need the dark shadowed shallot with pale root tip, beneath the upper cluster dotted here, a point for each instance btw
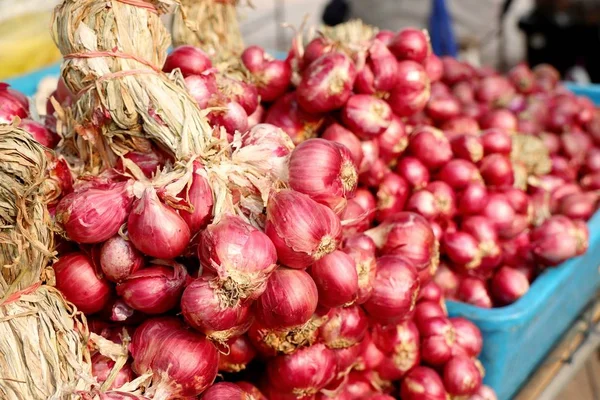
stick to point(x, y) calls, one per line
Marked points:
point(297, 123)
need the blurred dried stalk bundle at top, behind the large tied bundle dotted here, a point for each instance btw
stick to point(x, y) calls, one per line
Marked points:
point(209, 24)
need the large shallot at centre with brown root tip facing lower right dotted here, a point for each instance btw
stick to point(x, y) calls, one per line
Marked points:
point(316, 230)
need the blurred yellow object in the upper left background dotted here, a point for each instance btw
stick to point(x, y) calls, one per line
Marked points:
point(26, 44)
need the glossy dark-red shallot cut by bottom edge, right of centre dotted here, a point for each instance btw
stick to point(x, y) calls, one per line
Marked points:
point(422, 383)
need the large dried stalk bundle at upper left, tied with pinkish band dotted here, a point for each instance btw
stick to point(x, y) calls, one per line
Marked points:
point(113, 54)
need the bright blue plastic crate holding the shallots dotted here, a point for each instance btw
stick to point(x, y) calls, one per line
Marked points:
point(517, 337)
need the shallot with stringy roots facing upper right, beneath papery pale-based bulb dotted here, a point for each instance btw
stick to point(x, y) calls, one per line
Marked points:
point(209, 310)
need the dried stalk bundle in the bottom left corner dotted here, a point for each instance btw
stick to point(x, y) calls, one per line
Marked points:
point(43, 351)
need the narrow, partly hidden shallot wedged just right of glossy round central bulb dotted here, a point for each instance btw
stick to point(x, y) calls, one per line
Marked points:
point(362, 250)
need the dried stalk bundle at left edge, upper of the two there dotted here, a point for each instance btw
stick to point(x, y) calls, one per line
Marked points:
point(25, 235)
